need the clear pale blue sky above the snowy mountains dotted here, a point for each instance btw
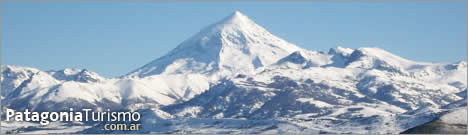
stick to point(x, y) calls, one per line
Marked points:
point(114, 38)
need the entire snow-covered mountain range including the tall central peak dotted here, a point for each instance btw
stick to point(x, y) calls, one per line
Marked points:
point(236, 77)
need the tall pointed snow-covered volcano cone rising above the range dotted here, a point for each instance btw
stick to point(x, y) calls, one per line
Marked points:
point(221, 47)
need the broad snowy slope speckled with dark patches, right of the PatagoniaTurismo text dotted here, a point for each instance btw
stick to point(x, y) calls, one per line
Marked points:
point(316, 95)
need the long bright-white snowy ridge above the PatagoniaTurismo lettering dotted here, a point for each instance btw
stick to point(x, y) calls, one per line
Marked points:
point(54, 91)
